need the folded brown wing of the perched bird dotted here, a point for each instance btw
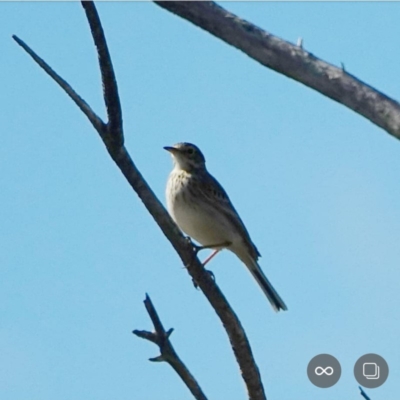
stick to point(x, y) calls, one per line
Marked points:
point(215, 195)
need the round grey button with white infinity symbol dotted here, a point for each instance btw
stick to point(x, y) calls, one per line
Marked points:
point(324, 370)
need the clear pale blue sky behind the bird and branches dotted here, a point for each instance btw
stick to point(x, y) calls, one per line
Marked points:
point(316, 184)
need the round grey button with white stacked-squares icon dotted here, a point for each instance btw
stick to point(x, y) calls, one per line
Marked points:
point(371, 371)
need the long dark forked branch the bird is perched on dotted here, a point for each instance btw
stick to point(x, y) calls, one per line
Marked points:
point(112, 136)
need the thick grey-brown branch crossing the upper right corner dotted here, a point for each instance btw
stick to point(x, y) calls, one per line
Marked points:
point(292, 61)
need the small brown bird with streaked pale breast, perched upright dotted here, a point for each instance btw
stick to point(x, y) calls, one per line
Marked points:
point(201, 208)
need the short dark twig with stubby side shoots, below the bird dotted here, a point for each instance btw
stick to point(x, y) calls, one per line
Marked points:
point(167, 353)
